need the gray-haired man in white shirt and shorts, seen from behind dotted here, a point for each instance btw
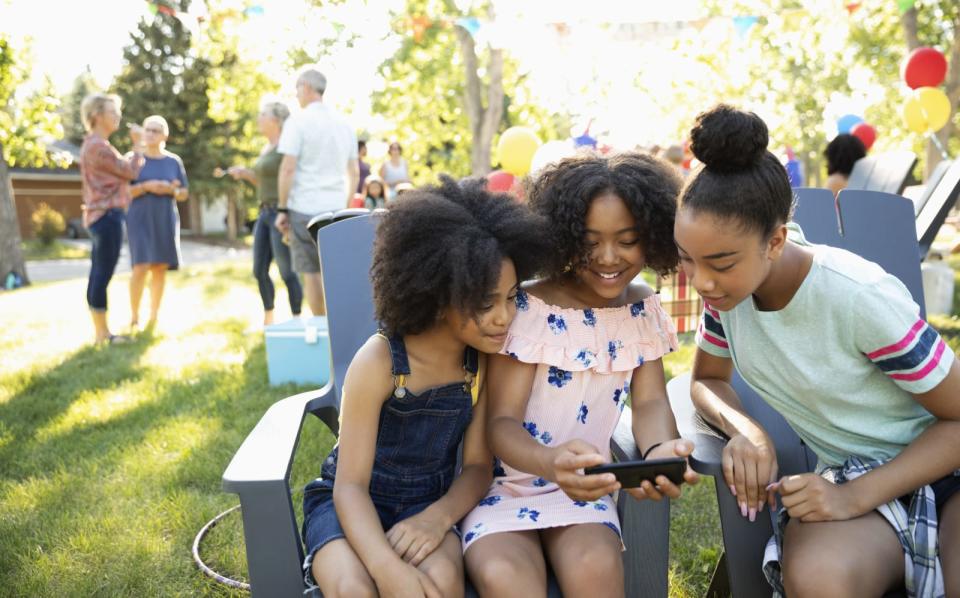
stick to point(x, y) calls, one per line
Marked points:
point(318, 174)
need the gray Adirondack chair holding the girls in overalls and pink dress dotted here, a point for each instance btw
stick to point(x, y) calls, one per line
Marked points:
point(259, 471)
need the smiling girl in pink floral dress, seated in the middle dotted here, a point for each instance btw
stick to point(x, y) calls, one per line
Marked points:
point(586, 340)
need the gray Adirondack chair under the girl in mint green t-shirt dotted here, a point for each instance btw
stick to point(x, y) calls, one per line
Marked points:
point(876, 226)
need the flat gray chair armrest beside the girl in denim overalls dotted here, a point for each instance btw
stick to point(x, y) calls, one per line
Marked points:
point(267, 452)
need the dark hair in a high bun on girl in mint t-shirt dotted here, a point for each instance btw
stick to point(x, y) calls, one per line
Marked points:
point(740, 180)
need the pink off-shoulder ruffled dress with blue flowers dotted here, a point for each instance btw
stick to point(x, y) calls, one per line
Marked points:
point(585, 359)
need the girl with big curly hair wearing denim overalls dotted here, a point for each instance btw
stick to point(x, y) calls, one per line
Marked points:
point(380, 519)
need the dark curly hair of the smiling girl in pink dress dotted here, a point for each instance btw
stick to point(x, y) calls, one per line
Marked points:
point(562, 194)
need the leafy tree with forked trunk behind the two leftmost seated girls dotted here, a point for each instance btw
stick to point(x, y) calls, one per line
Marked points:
point(446, 96)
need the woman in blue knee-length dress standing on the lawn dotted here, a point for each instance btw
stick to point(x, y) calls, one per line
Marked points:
point(153, 224)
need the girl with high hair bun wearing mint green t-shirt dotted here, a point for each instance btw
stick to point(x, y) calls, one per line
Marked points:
point(836, 346)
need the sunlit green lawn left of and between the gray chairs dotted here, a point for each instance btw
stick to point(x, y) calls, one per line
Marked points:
point(110, 457)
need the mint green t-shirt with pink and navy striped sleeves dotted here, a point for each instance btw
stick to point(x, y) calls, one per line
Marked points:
point(841, 361)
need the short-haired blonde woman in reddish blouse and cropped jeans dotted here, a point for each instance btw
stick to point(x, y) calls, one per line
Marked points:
point(106, 192)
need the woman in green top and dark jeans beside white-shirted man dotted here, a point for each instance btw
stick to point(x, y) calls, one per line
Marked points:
point(268, 243)
